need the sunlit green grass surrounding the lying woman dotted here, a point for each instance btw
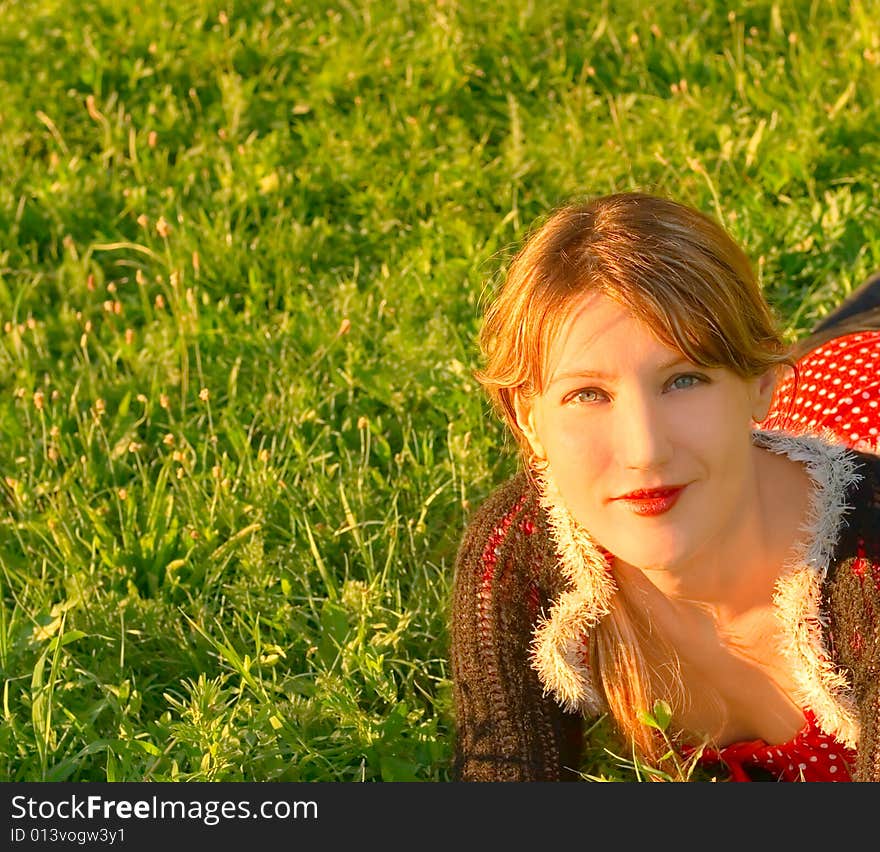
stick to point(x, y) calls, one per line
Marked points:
point(244, 247)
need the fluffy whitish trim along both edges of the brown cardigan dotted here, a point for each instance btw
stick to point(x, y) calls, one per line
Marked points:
point(559, 649)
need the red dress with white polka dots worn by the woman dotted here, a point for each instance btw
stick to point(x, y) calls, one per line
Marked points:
point(835, 393)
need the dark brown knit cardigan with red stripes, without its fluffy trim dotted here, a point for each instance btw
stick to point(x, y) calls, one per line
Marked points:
point(508, 575)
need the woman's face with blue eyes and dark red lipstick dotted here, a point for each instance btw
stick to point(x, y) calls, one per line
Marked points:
point(652, 454)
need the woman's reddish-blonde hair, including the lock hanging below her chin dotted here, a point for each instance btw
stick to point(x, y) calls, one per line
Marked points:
point(681, 273)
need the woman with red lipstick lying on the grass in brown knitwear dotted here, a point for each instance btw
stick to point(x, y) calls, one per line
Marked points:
point(698, 517)
